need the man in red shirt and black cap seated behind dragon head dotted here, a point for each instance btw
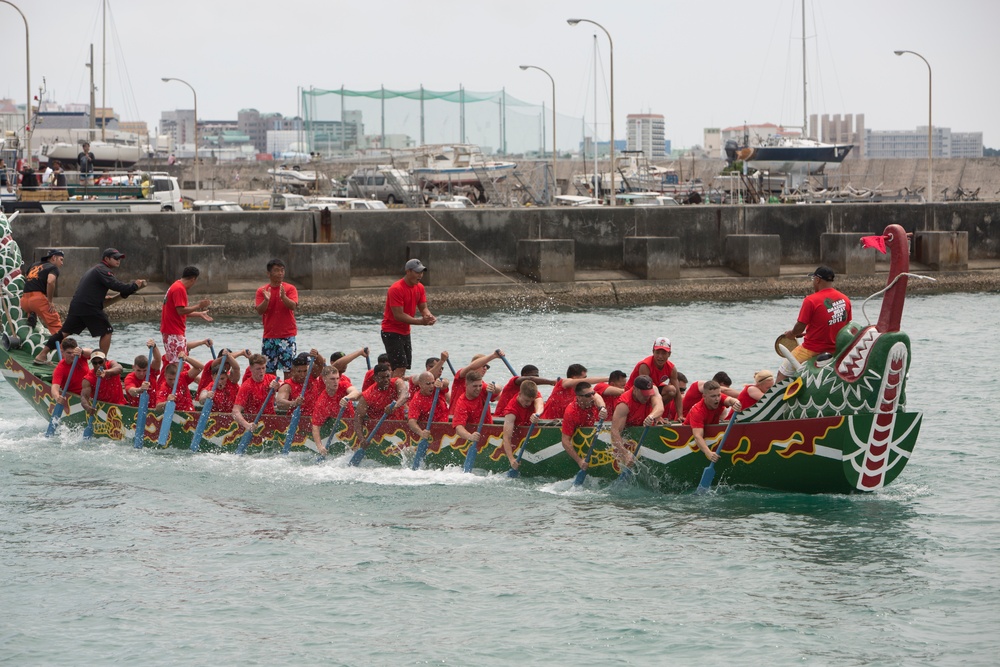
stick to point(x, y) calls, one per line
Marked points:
point(822, 315)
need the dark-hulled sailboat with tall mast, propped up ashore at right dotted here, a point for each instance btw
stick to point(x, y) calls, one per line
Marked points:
point(784, 154)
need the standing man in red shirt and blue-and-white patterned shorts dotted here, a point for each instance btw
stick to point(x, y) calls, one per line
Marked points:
point(276, 303)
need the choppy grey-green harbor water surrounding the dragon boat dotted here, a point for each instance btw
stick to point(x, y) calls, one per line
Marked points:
point(109, 555)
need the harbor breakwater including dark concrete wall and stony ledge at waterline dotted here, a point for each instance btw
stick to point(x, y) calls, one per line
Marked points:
point(373, 245)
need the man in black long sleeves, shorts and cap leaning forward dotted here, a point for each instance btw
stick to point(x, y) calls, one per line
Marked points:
point(86, 310)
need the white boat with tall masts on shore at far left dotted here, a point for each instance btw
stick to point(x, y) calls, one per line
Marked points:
point(112, 149)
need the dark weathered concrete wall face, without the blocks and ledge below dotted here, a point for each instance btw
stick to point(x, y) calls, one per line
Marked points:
point(378, 239)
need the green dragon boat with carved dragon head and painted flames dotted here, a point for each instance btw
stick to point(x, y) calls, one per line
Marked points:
point(840, 426)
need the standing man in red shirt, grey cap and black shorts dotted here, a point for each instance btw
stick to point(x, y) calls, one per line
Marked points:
point(405, 297)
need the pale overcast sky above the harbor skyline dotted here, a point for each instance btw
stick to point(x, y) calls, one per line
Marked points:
point(699, 63)
